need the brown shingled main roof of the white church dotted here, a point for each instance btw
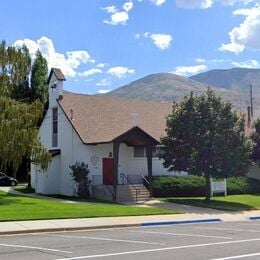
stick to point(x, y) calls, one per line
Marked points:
point(100, 119)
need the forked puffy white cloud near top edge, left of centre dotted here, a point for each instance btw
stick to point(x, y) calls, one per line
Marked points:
point(118, 17)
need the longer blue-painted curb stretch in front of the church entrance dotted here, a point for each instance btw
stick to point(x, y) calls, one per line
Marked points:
point(177, 222)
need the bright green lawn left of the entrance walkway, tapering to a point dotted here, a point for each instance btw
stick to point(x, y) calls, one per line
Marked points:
point(13, 207)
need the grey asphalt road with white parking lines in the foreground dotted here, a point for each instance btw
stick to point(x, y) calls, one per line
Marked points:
point(226, 240)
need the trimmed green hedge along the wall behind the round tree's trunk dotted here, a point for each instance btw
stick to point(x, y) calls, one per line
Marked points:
point(171, 186)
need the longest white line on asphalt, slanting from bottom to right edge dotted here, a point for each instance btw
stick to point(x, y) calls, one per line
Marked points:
point(161, 249)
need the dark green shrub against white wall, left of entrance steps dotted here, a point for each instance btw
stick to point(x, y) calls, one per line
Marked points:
point(80, 174)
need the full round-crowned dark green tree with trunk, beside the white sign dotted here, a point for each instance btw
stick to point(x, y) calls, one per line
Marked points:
point(205, 137)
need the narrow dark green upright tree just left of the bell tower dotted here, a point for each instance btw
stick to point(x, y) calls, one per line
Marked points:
point(39, 77)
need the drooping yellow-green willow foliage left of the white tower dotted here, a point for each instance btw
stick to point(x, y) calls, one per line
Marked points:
point(18, 133)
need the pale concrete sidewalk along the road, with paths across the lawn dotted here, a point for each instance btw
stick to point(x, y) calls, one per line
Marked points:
point(193, 214)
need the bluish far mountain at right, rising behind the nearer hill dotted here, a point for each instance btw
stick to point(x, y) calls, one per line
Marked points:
point(237, 79)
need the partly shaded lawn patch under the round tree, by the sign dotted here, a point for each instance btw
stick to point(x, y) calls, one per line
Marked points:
point(230, 203)
